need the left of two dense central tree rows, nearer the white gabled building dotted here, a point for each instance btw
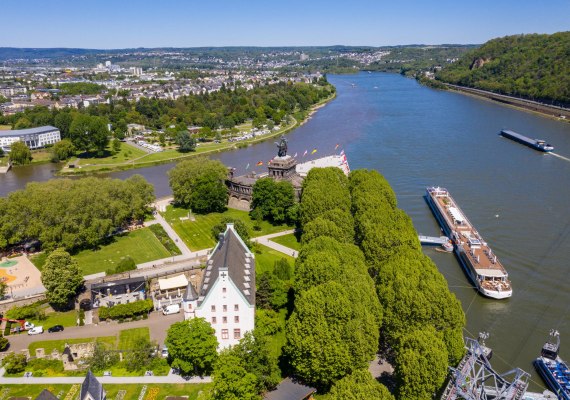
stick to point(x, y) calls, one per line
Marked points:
point(334, 328)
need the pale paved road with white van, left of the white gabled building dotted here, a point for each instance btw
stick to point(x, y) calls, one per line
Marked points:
point(157, 324)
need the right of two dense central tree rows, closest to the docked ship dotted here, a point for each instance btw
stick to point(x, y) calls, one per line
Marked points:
point(423, 321)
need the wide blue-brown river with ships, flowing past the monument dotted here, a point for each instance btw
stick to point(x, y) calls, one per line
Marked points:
point(517, 198)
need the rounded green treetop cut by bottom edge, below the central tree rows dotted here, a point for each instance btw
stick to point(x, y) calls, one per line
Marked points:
point(359, 385)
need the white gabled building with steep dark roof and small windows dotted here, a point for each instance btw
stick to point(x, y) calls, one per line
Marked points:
point(226, 298)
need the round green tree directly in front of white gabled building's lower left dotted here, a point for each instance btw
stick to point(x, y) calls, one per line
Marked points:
point(192, 346)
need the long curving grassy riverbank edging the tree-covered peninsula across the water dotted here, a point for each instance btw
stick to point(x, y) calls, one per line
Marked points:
point(165, 158)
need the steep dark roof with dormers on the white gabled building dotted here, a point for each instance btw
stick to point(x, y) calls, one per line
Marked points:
point(232, 255)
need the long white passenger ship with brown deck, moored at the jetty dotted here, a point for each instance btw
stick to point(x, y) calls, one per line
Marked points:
point(476, 257)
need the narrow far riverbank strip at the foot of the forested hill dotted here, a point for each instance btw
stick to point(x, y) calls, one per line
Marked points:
point(554, 112)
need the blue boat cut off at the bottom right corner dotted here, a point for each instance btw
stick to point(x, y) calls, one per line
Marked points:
point(552, 368)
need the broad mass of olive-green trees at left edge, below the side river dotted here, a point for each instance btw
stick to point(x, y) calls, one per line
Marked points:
point(72, 214)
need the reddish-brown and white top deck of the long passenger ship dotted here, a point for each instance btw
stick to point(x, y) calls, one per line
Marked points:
point(478, 253)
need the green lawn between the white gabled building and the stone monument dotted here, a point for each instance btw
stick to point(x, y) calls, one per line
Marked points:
point(198, 234)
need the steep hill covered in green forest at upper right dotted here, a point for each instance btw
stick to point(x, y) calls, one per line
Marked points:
point(535, 67)
